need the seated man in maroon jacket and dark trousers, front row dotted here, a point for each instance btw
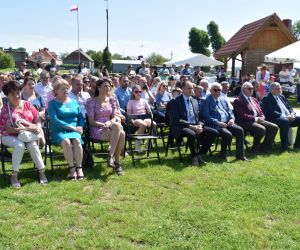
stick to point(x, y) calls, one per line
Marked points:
point(249, 116)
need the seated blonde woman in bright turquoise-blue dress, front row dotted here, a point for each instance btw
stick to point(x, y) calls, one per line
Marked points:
point(66, 126)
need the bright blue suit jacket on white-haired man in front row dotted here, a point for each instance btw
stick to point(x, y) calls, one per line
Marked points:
point(210, 112)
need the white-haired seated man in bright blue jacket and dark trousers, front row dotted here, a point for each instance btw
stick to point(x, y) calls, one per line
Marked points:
point(218, 115)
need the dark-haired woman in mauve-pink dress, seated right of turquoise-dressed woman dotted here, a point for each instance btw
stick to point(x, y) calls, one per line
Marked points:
point(104, 125)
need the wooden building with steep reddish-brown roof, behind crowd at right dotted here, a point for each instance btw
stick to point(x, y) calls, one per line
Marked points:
point(255, 40)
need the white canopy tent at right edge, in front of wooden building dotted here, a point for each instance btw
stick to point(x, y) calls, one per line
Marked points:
point(288, 54)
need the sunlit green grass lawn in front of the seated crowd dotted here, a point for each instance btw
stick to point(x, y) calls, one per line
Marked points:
point(234, 205)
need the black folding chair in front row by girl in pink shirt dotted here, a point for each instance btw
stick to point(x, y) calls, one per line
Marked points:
point(130, 130)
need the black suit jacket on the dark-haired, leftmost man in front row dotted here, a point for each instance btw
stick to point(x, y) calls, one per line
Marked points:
point(179, 116)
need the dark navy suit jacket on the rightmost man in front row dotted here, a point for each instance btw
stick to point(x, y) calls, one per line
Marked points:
point(271, 108)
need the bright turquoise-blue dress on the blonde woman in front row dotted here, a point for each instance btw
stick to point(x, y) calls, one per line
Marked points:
point(62, 116)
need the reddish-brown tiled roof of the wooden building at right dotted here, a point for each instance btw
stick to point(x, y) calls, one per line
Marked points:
point(236, 44)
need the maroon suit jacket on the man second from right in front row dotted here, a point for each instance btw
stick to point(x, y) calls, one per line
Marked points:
point(244, 114)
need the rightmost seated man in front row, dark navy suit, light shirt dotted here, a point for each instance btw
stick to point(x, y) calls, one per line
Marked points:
point(277, 110)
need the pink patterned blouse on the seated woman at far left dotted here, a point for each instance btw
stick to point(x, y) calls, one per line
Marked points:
point(29, 113)
